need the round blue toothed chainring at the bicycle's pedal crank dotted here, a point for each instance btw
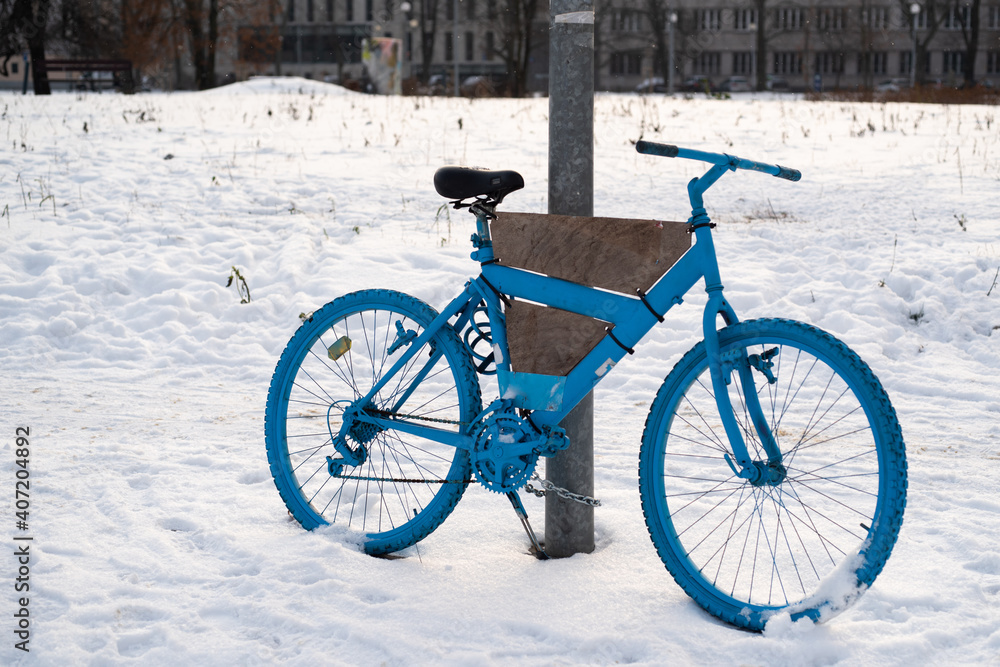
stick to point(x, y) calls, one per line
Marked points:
point(504, 458)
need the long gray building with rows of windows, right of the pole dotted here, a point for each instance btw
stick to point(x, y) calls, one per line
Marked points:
point(806, 45)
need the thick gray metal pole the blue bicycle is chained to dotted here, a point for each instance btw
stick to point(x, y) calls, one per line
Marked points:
point(569, 526)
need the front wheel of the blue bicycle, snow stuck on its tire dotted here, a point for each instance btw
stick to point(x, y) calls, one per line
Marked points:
point(808, 542)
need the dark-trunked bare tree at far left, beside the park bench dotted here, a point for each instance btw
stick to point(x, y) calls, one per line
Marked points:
point(23, 27)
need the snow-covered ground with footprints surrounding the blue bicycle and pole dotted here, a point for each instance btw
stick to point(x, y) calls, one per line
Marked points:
point(158, 536)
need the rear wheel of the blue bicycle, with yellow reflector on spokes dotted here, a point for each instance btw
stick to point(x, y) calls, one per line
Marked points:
point(408, 485)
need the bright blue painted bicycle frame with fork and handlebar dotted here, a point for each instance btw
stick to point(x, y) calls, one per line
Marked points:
point(550, 398)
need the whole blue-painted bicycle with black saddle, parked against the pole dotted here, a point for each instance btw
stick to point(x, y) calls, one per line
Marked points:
point(772, 468)
